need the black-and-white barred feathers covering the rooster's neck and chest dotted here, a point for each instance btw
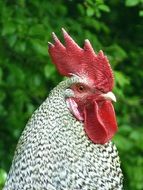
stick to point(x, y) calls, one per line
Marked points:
point(54, 153)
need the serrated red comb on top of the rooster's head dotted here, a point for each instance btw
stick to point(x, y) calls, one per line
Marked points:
point(71, 59)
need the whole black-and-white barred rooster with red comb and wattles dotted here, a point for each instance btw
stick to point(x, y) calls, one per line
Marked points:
point(66, 145)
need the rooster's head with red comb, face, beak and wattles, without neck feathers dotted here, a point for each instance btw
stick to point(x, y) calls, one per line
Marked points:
point(92, 100)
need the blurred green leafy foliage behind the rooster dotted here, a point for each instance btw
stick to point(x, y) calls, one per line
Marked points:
point(27, 75)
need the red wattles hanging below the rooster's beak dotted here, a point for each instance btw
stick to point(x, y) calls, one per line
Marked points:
point(100, 121)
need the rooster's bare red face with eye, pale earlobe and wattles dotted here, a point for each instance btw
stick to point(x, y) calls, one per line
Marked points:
point(97, 113)
